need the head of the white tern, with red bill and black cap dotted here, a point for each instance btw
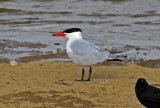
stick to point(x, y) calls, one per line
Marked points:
point(70, 33)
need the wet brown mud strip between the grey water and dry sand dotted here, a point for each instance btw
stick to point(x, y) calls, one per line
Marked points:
point(62, 56)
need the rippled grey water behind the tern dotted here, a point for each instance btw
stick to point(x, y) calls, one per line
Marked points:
point(107, 23)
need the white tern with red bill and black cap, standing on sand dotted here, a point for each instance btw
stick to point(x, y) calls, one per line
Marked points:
point(80, 51)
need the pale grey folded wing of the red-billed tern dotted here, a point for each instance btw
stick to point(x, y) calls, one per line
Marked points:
point(88, 51)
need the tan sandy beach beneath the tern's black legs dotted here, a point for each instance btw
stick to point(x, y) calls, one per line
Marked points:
point(50, 84)
